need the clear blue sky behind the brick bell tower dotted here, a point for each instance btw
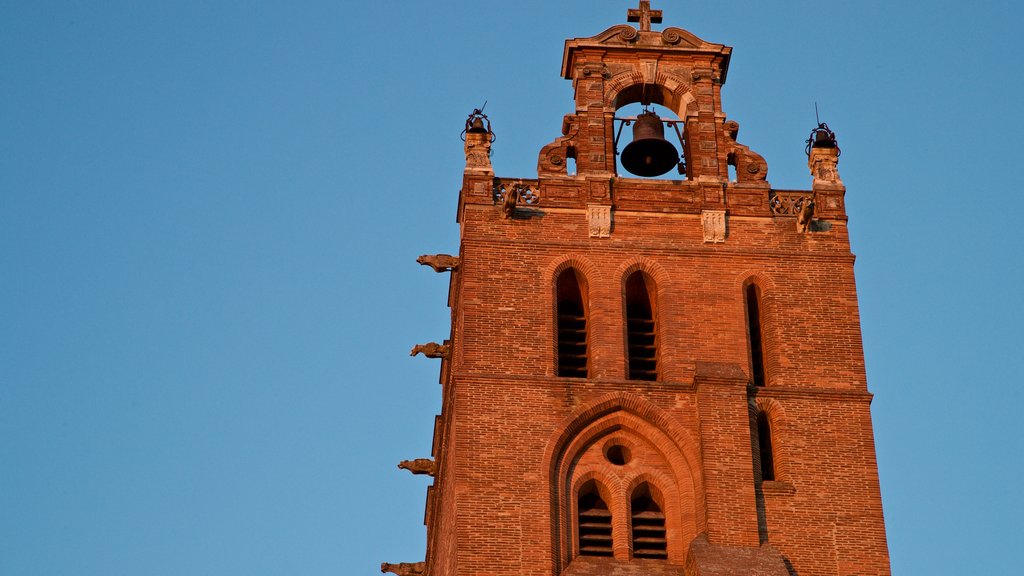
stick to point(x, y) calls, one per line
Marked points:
point(210, 215)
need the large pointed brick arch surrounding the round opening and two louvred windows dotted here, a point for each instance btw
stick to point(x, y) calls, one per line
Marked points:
point(608, 415)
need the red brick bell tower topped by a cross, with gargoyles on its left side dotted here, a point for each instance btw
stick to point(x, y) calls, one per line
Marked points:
point(651, 377)
